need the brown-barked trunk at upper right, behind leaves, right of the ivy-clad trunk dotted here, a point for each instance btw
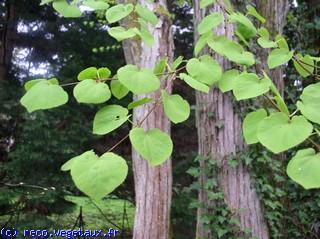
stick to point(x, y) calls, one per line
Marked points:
point(275, 12)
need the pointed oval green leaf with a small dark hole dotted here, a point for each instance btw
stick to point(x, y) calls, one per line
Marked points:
point(109, 118)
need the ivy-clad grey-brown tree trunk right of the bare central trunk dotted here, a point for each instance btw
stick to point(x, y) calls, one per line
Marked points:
point(221, 143)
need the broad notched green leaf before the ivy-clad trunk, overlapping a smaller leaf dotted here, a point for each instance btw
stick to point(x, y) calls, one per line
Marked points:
point(248, 85)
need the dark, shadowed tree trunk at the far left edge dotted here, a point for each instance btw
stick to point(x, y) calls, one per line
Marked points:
point(7, 35)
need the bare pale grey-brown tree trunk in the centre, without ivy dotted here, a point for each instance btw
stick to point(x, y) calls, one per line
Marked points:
point(153, 185)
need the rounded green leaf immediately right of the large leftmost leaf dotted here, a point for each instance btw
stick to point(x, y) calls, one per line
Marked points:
point(91, 92)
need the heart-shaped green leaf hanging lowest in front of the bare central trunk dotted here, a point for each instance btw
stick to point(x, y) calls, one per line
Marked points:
point(154, 145)
